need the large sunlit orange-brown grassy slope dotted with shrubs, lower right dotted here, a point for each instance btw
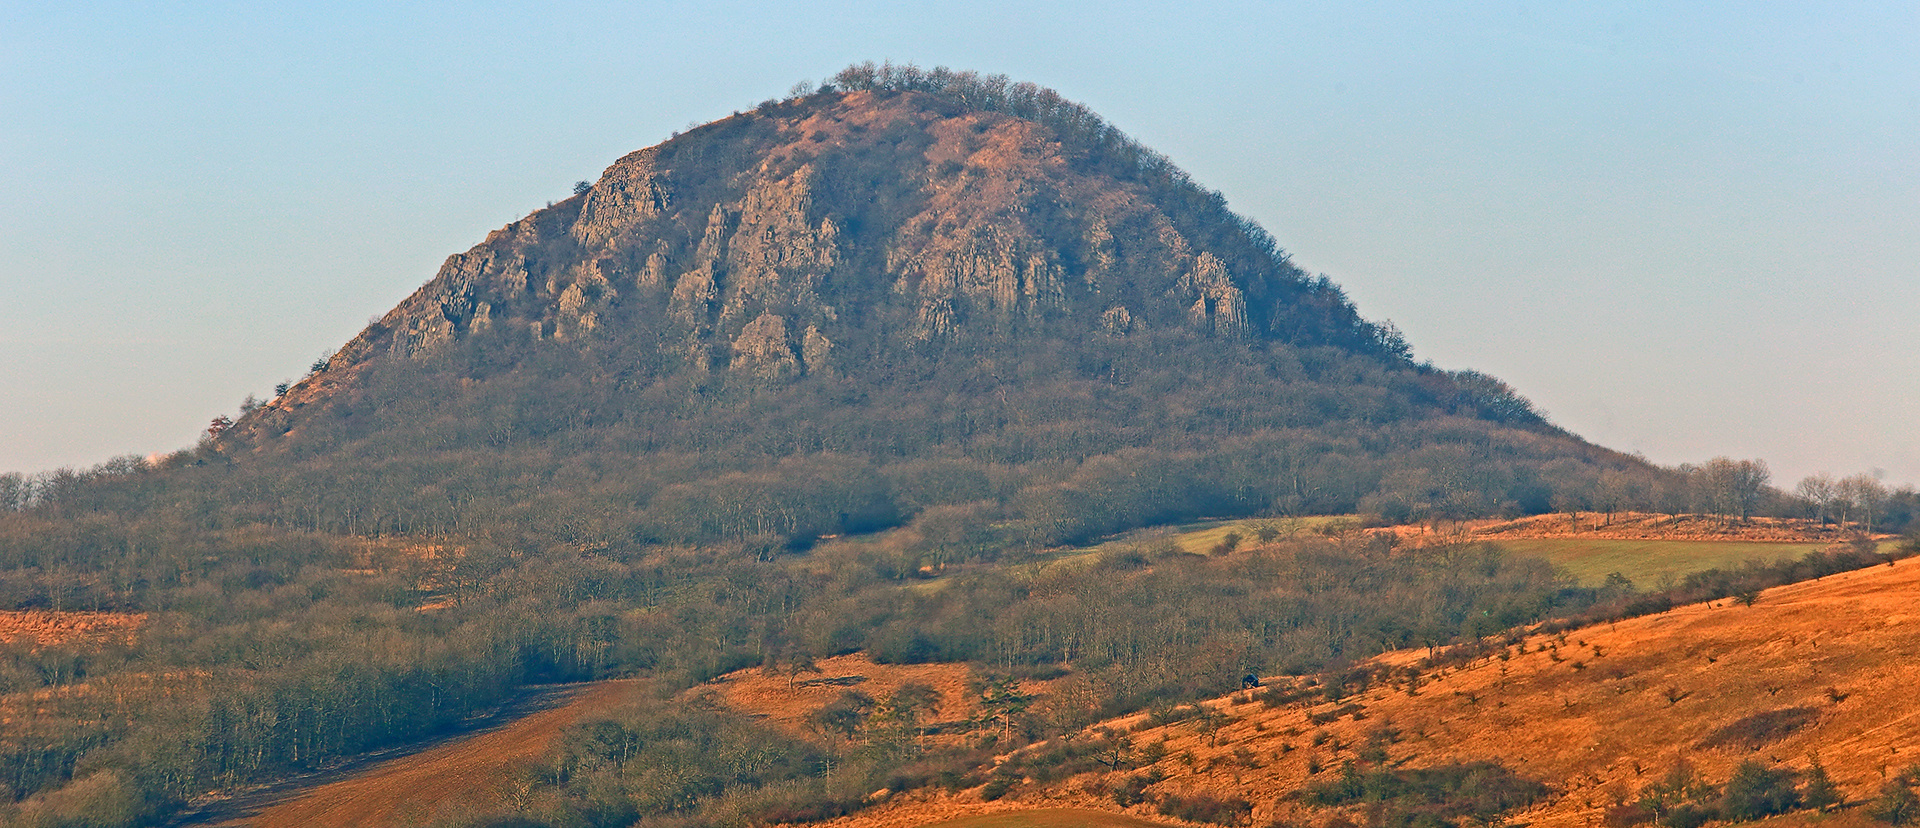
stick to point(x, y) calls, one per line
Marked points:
point(1596, 714)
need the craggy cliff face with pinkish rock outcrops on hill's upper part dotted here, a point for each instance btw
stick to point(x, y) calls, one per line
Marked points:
point(767, 239)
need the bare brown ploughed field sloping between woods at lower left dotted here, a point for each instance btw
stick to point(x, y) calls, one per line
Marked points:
point(466, 773)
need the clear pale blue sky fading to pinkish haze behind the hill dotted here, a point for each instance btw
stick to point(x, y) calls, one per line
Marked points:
point(1681, 230)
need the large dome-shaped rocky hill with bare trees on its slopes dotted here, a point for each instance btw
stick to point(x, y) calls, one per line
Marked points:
point(900, 297)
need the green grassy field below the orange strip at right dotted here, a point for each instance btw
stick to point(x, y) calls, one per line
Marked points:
point(1648, 562)
